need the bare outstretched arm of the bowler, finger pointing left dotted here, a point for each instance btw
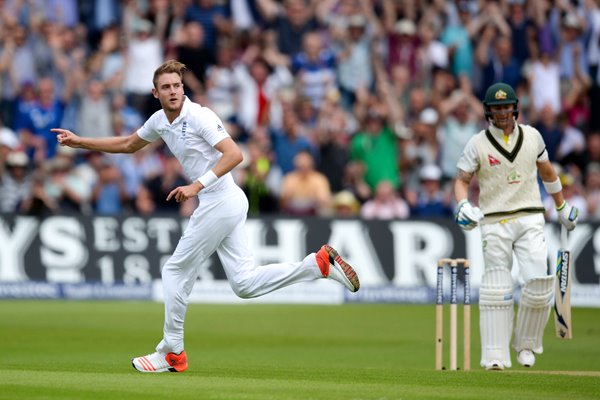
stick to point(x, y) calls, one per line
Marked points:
point(115, 144)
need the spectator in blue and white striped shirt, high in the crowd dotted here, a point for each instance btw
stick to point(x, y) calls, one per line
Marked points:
point(314, 69)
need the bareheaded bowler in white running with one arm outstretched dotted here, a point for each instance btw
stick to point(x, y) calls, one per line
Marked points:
point(197, 137)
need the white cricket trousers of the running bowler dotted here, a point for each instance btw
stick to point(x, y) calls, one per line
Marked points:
point(218, 225)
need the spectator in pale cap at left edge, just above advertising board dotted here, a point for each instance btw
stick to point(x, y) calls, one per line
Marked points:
point(15, 182)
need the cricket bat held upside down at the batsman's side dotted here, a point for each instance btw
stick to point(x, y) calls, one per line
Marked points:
point(562, 290)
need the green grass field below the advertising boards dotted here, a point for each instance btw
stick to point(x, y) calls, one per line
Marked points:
point(82, 350)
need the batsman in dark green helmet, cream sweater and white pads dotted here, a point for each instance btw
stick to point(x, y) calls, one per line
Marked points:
point(506, 159)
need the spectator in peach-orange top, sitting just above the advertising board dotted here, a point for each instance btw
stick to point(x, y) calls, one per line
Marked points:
point(305, 191)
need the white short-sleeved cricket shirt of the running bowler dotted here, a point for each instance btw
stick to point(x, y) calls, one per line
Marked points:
point(191, 138)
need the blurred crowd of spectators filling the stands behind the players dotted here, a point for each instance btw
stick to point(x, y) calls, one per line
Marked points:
point(349, 108)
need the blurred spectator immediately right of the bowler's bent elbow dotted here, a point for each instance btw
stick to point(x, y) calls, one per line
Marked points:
point(260, 179)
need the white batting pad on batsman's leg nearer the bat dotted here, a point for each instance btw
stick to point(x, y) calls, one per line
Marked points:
point(534, 310)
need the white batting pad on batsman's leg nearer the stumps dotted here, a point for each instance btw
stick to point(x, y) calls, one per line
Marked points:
point(496, 316)
